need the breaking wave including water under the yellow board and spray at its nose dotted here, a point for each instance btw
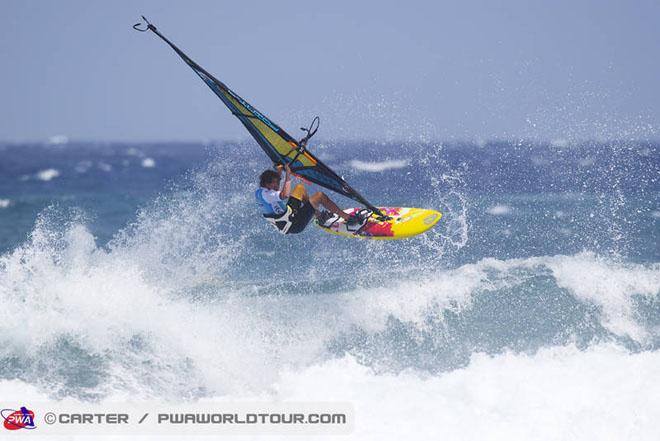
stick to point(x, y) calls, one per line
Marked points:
point(197, 298)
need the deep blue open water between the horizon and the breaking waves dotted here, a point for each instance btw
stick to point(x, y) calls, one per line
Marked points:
point(524, 199)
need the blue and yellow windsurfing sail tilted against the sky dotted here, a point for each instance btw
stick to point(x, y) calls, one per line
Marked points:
point(278, 145)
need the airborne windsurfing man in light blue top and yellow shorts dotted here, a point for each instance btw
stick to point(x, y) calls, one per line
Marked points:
point(290, 211)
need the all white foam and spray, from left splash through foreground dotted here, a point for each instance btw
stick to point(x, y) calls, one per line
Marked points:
point(128, 308)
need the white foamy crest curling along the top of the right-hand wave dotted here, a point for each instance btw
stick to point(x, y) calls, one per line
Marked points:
point(609, 285)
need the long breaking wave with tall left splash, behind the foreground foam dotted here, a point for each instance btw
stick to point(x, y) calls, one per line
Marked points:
point(155, 315)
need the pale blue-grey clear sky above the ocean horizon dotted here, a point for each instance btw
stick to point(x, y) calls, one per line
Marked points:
point(384, 70)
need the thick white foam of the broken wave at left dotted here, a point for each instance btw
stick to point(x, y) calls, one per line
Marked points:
point(114, 302)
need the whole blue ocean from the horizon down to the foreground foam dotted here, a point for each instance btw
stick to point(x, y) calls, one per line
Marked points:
point(146, 269)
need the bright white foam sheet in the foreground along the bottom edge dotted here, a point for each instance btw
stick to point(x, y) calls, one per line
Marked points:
point(559, 393)
